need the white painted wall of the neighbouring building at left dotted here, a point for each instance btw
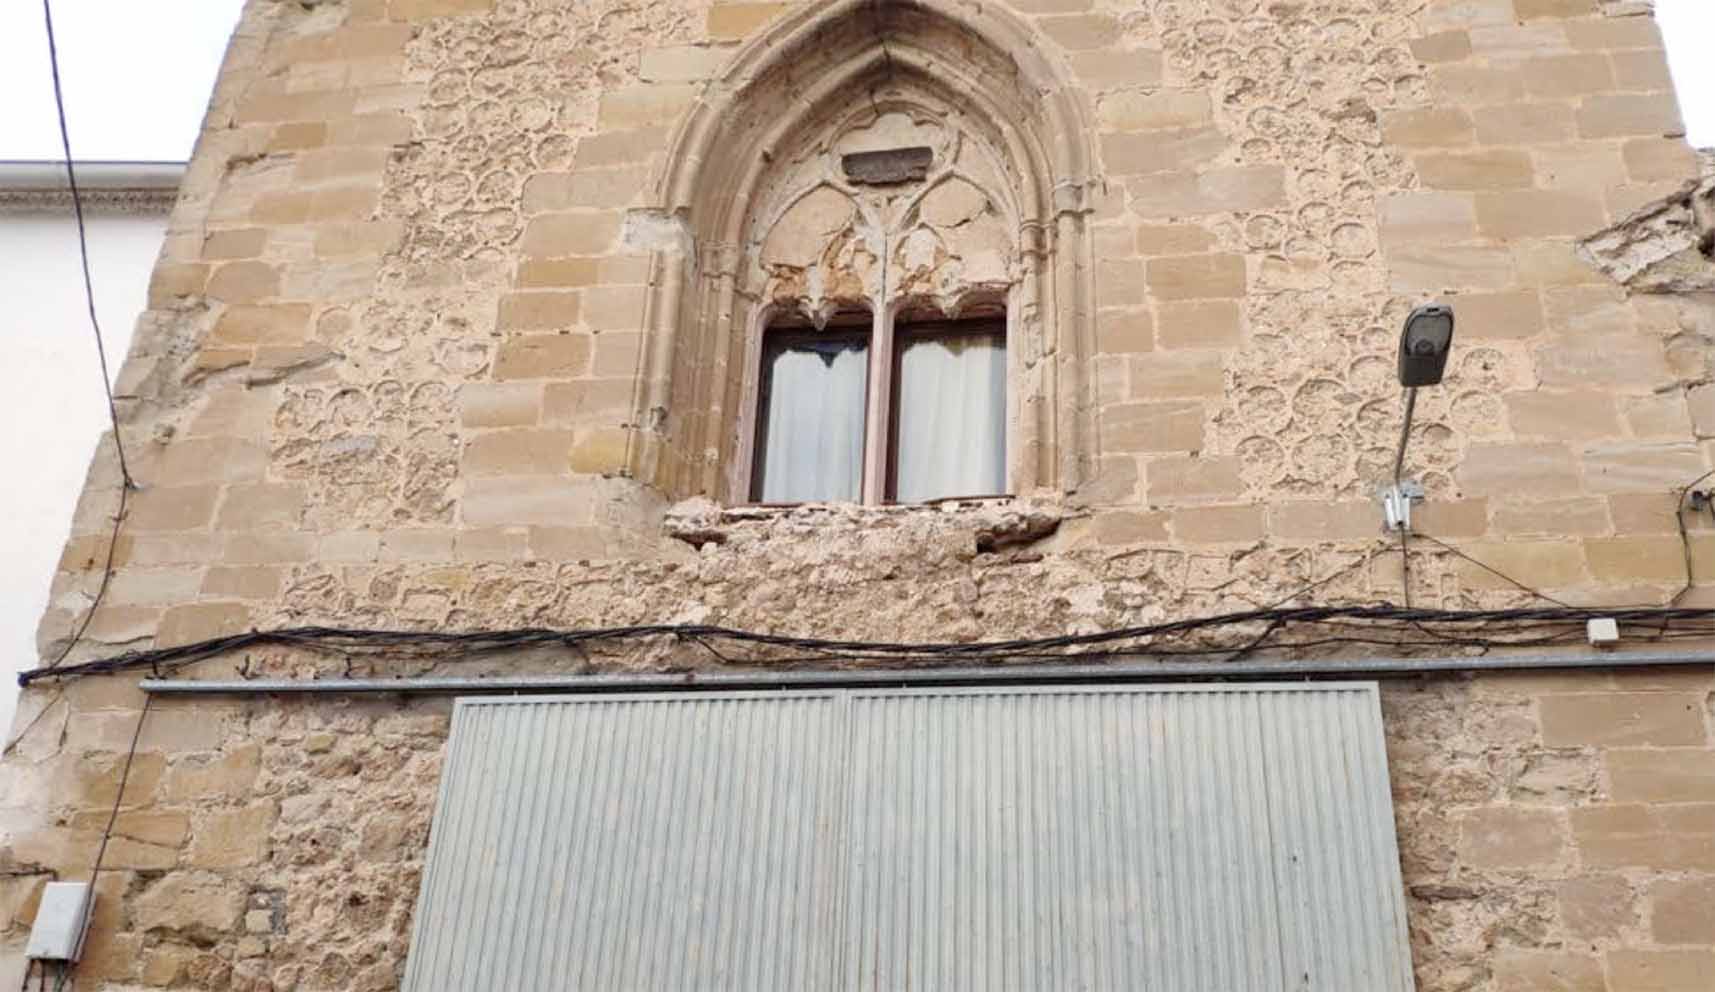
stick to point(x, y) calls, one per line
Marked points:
point(52, 401)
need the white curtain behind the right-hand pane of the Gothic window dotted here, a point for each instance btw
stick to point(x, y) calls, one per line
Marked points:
point(953, 420)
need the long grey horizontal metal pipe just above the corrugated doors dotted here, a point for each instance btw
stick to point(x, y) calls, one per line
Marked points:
point(929, 677)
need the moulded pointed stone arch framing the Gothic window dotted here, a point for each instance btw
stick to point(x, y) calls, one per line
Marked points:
point(978, 64)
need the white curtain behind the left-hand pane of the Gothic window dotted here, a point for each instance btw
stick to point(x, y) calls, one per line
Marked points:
point(815, 423)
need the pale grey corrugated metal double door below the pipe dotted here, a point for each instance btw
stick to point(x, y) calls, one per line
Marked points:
point(1165, 838)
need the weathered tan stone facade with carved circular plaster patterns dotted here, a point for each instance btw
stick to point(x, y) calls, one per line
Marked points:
point(455, 329)
